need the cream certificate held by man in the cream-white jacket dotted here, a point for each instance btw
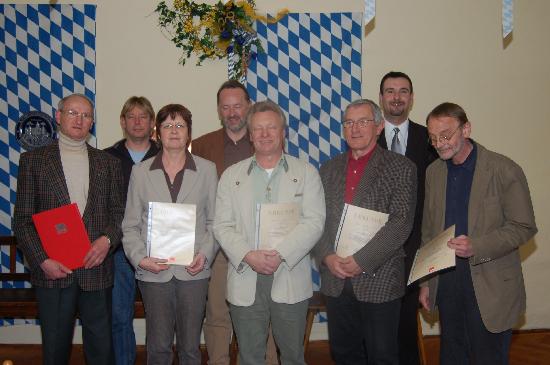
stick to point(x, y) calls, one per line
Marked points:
point(274, 222)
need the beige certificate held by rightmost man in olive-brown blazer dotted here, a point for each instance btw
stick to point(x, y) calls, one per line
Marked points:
point(433, 256)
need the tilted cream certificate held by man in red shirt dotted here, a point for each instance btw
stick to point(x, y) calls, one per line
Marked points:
point(357, 227)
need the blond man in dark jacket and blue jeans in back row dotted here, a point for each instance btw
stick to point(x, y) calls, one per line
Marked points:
point(137, 119)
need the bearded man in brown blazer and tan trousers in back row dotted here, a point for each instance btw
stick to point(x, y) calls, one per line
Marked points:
point(225, 147)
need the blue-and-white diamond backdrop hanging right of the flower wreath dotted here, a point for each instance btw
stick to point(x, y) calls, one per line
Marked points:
point(312, 70)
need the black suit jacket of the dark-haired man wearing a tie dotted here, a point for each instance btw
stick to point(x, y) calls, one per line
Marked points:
point(419, 151)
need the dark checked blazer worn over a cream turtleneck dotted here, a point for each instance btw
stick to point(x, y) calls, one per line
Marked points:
point(41, 186)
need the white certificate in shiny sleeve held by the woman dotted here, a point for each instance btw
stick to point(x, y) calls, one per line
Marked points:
point(171, 232)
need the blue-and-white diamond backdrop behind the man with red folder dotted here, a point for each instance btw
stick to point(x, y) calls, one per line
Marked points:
point(46, 53)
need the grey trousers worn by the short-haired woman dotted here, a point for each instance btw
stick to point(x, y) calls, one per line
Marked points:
point(173, 307)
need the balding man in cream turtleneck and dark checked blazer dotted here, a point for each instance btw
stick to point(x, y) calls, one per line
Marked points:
point(71, 171)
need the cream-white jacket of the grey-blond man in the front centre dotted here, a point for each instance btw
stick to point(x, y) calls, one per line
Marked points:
point(235, 228)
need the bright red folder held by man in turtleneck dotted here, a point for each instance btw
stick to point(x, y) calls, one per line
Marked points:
point(63, 235)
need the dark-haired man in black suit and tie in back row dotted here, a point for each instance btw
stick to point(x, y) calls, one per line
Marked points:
point(407, 138)
